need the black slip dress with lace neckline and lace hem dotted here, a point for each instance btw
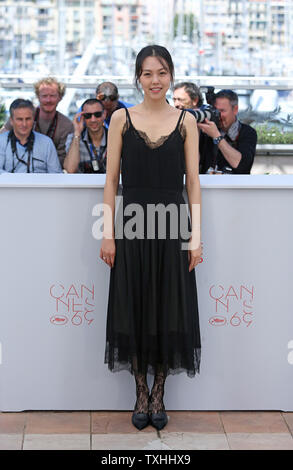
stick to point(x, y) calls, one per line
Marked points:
point(152, 317)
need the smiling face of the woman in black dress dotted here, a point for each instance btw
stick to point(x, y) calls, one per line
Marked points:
point(155, 78)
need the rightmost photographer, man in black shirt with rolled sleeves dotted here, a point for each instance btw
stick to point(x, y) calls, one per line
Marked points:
point(229, 148)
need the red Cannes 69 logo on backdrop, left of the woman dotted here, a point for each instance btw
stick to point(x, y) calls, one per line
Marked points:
point(73, 304)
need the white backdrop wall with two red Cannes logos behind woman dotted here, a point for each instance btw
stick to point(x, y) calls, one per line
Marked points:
point(54, 294)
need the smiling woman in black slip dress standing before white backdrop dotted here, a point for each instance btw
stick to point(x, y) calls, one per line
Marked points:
point(152, 320)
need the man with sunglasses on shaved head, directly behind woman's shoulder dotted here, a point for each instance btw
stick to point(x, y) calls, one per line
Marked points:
point(107, 92)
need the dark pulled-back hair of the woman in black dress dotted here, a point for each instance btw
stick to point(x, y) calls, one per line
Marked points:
point(161, 53)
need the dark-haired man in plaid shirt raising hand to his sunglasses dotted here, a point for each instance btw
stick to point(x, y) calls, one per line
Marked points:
point(87, 147)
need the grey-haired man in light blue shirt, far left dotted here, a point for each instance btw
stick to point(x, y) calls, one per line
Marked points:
point(23, 150)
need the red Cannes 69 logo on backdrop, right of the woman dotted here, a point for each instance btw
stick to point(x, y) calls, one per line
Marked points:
point(232, 305)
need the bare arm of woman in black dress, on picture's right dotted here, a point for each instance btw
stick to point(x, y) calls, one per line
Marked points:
point(193, 188)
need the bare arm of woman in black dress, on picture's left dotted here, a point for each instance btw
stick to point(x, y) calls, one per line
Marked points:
point(114, 147)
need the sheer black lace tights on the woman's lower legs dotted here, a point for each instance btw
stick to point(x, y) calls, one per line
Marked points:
point(154, 403)
